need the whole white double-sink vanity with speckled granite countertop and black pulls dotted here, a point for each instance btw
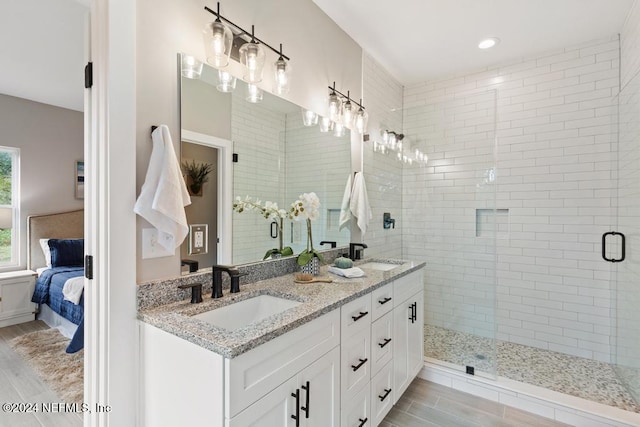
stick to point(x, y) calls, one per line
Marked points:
point(335, 354)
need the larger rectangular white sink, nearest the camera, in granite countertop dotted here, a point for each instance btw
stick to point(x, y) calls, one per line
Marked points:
point(242, 313)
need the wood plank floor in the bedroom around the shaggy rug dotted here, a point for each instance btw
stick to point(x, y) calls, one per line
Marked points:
point(20, 384)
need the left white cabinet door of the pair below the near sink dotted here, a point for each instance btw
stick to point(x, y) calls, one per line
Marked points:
point(274, 409)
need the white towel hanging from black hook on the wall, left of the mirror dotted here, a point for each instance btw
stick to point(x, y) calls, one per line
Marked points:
point(164, 193)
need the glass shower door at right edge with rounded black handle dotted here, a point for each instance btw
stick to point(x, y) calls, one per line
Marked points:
point(625, 282)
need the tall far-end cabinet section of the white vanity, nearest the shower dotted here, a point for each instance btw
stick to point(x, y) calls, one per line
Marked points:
point(408, 324)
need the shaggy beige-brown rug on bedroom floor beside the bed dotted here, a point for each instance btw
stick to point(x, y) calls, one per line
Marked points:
point(45, 352)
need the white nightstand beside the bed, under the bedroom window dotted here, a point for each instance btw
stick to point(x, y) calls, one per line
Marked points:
point(16, 289)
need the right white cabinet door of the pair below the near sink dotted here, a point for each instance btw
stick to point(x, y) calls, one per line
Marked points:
point(320, 391)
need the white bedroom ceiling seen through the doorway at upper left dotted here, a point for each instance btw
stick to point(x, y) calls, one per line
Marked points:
point(42, 50)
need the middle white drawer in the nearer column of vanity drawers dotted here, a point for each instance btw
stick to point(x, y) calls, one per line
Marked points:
point(355, 360)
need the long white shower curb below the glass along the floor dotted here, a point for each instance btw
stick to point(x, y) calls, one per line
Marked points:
point(537, 400)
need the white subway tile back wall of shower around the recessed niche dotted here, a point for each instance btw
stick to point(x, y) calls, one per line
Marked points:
point(555, 120)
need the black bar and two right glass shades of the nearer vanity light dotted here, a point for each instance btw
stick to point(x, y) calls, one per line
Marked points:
point(252, 56)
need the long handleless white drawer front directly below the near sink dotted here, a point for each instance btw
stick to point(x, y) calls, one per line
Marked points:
point(262, 369)
